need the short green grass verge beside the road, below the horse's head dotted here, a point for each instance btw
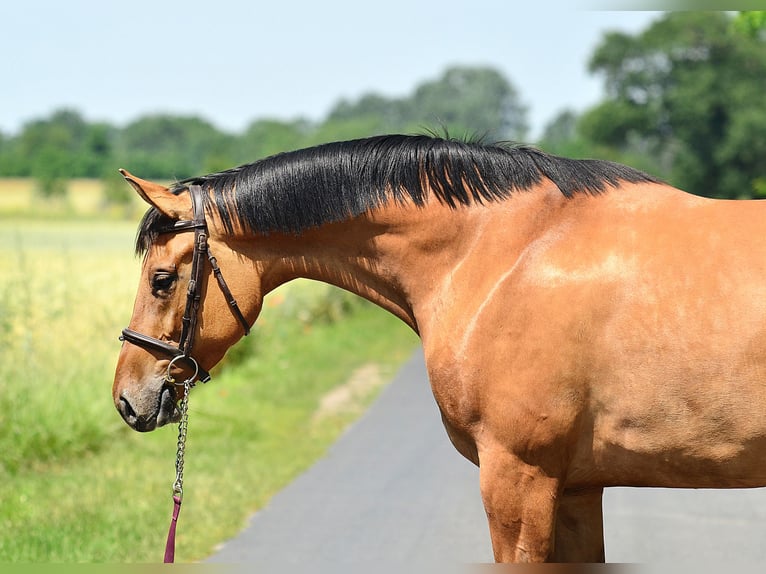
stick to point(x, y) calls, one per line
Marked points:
point(251, 431)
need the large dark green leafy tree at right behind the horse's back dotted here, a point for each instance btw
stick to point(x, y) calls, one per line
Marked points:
point(688, 91)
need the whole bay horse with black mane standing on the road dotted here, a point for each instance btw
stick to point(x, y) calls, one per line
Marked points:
point(584, 324)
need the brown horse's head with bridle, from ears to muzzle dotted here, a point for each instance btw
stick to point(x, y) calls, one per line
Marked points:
point(182, 321)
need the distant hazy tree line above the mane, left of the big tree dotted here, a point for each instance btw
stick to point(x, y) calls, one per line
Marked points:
point(64, 145)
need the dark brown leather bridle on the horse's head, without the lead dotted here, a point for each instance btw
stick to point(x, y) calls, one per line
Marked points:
point(193, 294)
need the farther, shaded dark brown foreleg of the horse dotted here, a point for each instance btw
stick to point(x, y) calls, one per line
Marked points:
point(579, 527)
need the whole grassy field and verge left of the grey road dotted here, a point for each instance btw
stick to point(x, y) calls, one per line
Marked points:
point(78, 484)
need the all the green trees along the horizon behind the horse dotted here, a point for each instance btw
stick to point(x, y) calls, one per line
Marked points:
point(683, 99)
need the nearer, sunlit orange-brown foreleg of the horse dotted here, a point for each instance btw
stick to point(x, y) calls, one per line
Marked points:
point(520, 501)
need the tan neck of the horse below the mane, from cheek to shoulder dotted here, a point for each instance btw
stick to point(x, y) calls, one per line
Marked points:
point(416, 262)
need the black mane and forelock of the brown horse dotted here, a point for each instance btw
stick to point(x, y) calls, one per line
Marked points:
point(294, 191)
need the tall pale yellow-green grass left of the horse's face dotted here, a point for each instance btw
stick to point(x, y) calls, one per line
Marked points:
point(64, 289)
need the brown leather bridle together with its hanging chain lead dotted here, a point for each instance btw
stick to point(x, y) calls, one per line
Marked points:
point(183, 351)
